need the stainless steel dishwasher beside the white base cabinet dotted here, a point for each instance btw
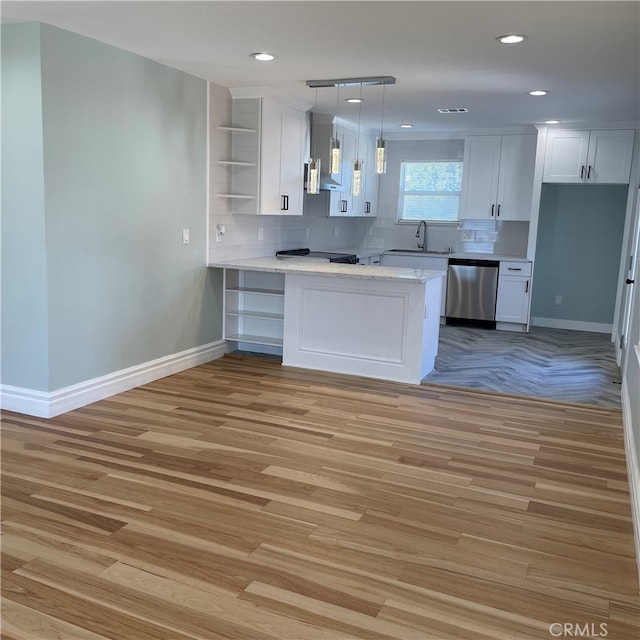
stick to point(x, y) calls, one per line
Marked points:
point(472, 286)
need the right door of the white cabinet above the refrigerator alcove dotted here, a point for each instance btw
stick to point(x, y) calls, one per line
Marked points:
point(609, 157)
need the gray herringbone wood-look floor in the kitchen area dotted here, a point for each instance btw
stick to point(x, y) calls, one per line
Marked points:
point(572, 366)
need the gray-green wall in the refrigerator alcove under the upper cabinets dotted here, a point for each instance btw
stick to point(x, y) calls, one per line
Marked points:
point(579, 242)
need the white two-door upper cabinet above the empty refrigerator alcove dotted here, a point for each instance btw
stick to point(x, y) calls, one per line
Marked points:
point(589, 157)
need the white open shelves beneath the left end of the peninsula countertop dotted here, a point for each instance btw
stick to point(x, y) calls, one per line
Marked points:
point(254, 308)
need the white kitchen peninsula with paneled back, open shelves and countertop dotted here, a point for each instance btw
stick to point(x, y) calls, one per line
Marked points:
point(379, 322)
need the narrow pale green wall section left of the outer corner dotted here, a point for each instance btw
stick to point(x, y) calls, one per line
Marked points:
point(24, 274)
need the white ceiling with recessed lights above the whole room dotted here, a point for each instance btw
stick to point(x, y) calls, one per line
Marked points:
point(443, 54)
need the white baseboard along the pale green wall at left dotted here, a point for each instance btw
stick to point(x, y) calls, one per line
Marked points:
point(49, 404)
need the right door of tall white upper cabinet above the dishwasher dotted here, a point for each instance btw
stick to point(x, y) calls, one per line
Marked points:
point(515, 183)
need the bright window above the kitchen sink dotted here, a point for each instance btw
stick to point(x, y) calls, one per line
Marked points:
point(430, 191)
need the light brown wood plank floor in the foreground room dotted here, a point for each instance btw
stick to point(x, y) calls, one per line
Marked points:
point(246, 500)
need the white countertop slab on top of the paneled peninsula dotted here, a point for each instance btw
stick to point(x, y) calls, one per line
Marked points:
point(319, 267)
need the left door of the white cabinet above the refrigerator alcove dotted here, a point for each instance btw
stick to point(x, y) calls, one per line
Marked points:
point(565, 156)
